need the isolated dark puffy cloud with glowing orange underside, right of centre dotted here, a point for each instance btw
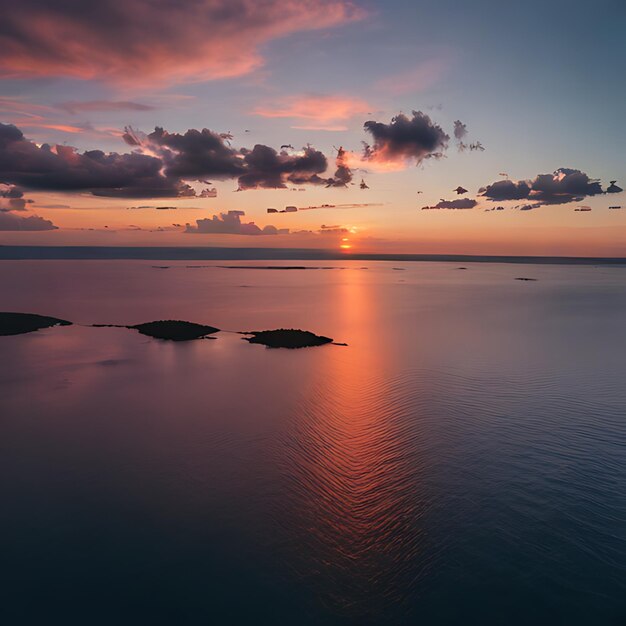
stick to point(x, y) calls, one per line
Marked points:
point(404, 139)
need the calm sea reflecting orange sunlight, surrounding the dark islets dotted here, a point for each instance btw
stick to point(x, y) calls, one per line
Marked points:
point(463, 460)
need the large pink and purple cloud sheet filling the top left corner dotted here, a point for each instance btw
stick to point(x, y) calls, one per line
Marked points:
point(151, 41)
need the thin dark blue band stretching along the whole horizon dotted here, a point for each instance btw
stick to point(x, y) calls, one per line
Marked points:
point(269, 254)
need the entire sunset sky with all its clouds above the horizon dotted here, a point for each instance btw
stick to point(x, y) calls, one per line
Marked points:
point(411, 127)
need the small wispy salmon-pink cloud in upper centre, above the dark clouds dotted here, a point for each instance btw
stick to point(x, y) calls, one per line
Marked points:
point(323, 109)
